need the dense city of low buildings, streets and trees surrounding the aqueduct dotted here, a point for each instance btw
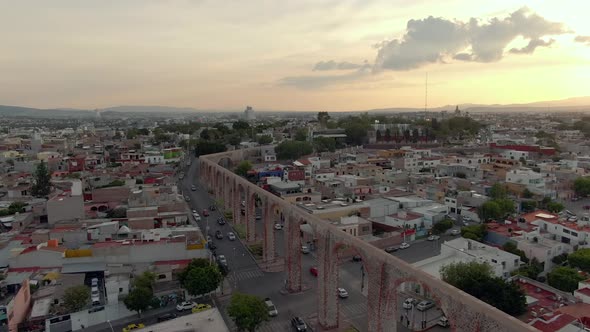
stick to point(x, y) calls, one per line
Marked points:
point(112, 222)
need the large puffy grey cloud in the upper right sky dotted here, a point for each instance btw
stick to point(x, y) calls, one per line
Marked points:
point(435, 39)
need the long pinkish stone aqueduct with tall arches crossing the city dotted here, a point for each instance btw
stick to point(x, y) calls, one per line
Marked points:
point(384, 272)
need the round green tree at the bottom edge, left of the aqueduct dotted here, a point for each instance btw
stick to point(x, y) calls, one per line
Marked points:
point(247, 311)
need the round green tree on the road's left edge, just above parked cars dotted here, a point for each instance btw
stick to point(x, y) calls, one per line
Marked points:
point(200, 277)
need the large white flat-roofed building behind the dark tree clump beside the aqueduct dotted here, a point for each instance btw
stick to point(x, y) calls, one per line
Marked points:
point(466, 250)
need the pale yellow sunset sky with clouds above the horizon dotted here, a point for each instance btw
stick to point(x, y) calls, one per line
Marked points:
point(333, 55)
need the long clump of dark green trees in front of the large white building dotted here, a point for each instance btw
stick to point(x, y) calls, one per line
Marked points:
point(477, 280)
